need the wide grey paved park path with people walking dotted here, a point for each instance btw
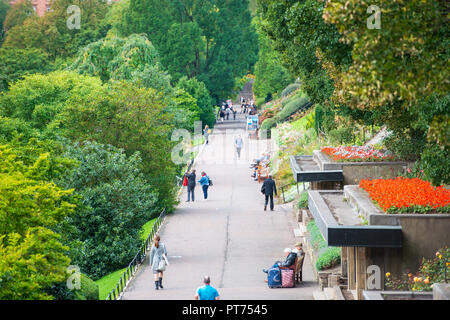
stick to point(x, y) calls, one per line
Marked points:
point(228, 237)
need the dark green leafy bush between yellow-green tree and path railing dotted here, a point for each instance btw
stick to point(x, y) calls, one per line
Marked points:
point(116, 203)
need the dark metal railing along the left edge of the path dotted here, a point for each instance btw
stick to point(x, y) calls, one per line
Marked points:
point(137, 260)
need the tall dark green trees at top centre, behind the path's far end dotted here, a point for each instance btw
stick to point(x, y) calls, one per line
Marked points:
point(213, 41)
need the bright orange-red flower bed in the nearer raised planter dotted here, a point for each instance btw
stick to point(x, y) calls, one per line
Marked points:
point(407, 195)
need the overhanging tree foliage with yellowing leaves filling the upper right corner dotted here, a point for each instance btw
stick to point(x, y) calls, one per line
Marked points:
point(394, 76)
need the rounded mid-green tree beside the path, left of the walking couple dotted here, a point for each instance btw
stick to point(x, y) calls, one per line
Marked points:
point(130, 118)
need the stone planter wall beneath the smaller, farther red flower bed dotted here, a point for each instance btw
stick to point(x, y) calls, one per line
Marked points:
point(353, 172)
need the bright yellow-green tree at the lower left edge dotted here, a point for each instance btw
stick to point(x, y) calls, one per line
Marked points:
point(32, 257)
